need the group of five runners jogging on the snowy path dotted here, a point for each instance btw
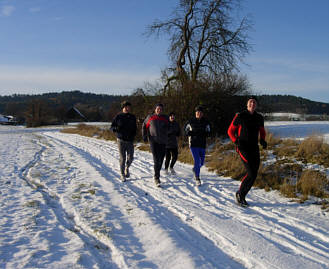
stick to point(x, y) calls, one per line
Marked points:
point(162, 132)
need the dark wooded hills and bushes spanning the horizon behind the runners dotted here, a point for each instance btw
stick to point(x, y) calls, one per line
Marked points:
point(221, 101)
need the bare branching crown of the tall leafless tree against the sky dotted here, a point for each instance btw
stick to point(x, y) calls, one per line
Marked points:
point(205, 39)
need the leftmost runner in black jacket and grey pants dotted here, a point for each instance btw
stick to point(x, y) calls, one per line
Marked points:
point(124, 126)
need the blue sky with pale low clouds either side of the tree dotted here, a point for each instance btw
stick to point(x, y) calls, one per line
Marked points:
point(97, 46)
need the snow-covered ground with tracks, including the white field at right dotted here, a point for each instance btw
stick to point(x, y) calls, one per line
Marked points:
point(62, 206)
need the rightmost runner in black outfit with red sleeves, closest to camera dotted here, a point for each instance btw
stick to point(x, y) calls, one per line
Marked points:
point(244, 131)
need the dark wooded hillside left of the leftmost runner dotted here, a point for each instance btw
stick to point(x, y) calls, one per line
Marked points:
point(53, 108)
